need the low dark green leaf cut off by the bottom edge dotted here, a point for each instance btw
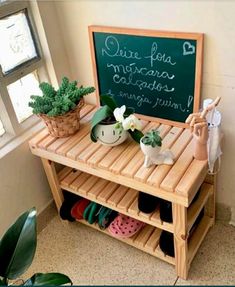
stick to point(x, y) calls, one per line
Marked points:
point(48, 279)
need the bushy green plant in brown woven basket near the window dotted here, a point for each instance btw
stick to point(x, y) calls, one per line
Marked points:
point(60, 109)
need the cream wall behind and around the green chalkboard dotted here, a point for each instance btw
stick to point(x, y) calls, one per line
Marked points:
point(214, 18)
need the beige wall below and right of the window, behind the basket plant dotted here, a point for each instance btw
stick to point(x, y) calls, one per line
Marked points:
point(23, 183)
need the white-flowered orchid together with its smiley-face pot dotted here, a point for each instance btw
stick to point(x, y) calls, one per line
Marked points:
point(110, 124)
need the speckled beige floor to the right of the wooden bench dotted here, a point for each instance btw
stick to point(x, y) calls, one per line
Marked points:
point(214, 263)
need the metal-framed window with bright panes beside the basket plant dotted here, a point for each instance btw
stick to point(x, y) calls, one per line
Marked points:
point(21, 67)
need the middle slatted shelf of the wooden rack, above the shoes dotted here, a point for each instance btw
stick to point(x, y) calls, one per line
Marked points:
point(109, 194)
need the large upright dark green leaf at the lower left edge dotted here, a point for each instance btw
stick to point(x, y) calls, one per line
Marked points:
point(18, 245)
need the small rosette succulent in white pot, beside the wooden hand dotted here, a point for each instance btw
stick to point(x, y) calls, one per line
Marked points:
point(150, 145)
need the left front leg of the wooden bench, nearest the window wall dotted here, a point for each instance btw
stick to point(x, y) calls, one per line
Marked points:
point(51, 174)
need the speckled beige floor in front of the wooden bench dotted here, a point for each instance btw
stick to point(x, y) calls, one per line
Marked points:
point(89, 257)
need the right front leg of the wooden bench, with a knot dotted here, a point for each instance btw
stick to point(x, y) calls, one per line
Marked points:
point(180, 240)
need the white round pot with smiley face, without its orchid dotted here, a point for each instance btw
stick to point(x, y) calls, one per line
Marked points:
point(109, 134)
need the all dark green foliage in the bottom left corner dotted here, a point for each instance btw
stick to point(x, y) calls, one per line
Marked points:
point(17, 249)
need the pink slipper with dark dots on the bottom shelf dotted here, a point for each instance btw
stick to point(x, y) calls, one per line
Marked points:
point(125, 226)
